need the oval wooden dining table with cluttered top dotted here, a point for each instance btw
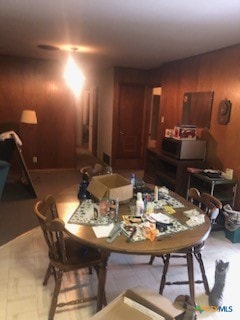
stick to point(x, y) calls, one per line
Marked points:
point(175, 242)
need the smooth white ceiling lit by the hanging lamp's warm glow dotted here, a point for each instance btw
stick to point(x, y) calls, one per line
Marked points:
point(129, 33)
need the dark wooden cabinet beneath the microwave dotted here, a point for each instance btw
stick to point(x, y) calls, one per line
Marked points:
point(163, 170)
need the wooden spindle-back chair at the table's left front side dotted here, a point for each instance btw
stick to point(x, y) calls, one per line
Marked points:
point(65, 253)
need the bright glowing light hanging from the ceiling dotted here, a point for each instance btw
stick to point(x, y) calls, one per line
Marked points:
point(73, 76)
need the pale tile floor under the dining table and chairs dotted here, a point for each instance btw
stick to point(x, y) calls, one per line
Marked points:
point(23, 262)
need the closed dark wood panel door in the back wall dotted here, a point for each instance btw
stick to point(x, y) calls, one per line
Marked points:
point(131, 126)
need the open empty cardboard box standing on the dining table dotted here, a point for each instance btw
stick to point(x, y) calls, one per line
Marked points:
point(111, 186)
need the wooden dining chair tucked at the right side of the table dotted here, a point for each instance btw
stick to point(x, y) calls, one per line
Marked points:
point(210, 205)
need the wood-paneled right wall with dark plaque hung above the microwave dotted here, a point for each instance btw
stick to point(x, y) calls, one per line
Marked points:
point(217, 71)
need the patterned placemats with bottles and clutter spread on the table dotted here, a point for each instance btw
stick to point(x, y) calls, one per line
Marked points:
point(151, 216)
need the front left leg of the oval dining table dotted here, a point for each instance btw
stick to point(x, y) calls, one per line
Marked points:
point(102, 275)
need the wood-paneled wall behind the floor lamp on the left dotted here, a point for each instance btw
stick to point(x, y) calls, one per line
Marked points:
point(38, 84)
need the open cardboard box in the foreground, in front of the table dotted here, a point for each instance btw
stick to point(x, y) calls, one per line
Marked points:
point(142, 304)
